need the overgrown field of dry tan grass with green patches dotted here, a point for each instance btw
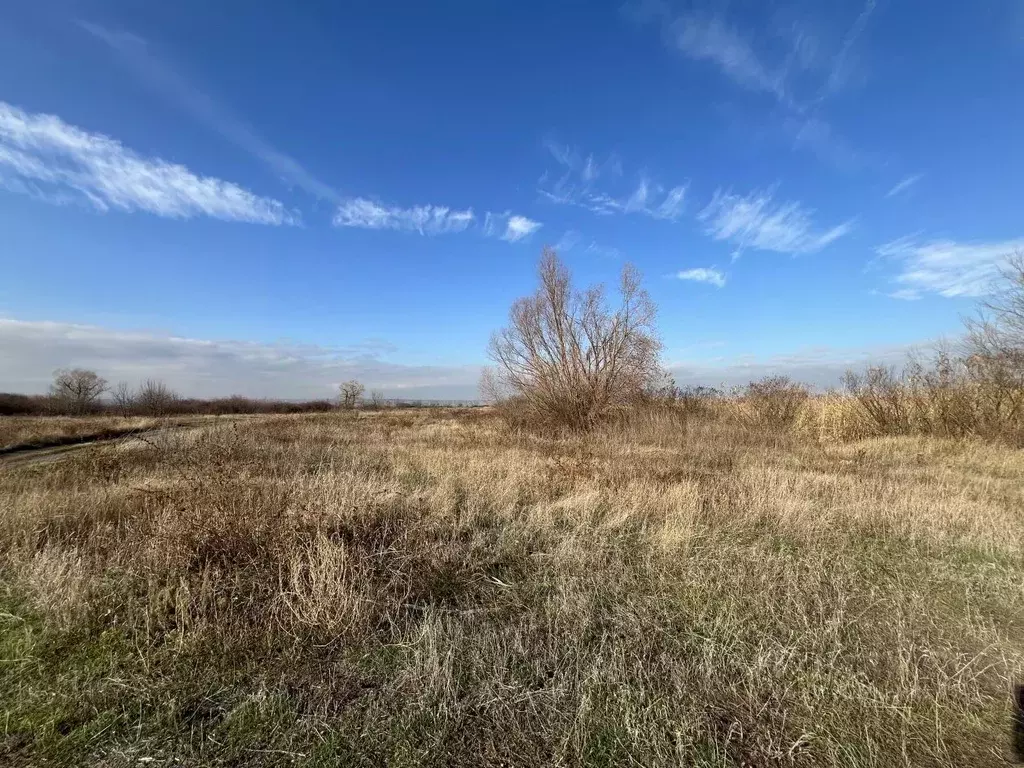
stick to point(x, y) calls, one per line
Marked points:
point(433, 589)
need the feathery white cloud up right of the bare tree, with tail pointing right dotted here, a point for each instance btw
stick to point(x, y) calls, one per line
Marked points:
point(757, 222)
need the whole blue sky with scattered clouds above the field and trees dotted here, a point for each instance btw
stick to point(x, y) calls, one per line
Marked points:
point(271, 198)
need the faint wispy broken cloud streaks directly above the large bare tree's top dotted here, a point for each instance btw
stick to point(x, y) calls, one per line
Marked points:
point(578, 184)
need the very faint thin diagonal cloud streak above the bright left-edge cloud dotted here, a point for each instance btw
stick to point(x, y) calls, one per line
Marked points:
point(141, 62)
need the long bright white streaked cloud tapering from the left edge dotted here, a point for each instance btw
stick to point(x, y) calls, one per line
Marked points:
point(42, 156)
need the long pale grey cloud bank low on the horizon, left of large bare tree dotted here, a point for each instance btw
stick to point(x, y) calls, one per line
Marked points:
point(203, 368)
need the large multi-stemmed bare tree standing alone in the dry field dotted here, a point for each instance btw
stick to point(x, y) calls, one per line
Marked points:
point(567, 358)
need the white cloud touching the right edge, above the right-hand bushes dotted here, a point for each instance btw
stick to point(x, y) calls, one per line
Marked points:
point(947, 268)
